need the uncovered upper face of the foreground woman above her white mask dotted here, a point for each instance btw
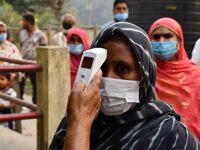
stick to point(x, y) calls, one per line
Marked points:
point(120, 63)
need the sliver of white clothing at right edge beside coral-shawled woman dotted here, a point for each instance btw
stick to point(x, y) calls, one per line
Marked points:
point(196, 53)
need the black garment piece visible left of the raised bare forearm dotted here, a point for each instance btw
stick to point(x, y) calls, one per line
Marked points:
point(58, 139)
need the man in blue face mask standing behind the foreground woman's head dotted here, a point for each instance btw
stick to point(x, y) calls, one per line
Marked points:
point(120, 12)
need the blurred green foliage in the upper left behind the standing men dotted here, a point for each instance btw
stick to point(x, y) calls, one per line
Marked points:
point(46, 12)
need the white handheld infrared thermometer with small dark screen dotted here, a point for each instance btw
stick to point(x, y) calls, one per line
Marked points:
point(91, 61)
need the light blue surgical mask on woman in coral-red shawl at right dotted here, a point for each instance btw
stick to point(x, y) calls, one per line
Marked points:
point(164, 50)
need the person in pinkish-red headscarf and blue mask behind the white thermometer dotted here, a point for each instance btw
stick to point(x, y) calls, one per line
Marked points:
point(77, 42)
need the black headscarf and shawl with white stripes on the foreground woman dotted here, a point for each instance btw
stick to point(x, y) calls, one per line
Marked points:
point(151, 125)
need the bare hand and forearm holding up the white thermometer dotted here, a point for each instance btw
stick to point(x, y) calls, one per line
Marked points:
point(83, 107)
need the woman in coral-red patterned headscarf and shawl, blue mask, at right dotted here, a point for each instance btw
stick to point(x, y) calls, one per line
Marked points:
point(177, 78)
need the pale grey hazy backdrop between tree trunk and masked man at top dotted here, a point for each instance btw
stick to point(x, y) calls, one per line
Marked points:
point(97, 12)
